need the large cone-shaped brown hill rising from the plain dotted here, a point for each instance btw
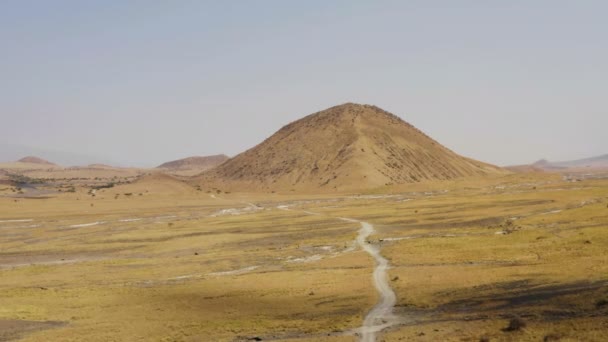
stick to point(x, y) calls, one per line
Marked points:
point(346, 147)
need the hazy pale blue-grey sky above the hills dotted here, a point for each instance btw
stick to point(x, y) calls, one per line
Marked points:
point(143, 82)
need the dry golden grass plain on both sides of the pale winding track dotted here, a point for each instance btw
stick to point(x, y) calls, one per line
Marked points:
point(177, 264)
